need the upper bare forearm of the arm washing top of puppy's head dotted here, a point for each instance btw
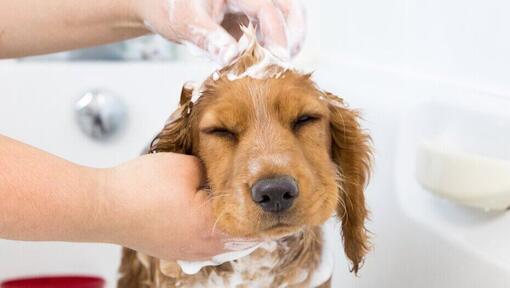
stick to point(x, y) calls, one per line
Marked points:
point(30, 27)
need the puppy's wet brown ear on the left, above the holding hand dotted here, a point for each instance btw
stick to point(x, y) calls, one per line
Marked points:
point(176, 136)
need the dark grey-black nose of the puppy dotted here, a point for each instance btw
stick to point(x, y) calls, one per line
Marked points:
point(275, 194)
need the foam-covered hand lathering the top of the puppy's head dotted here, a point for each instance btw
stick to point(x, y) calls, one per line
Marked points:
point(280, 24)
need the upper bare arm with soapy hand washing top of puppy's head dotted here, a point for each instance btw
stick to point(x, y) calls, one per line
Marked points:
point(31, 27)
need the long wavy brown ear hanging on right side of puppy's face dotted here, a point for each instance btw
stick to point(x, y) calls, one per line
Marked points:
point(350, 150)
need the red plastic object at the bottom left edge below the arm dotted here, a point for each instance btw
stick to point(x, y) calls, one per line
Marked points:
point(55, 282)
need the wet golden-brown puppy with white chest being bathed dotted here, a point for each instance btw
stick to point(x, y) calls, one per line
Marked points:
point(281, 157)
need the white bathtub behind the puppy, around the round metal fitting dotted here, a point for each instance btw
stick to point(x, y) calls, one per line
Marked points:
point(419, 240)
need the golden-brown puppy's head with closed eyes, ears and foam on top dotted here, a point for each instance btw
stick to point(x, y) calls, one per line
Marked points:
point(280, 154)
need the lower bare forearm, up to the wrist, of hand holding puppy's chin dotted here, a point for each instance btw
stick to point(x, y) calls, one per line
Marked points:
point(44, 197)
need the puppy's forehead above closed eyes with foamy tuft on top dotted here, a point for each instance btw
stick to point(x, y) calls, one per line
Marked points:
point(257, 80)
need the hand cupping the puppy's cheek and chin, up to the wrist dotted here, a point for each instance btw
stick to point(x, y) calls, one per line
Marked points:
point(155, 207)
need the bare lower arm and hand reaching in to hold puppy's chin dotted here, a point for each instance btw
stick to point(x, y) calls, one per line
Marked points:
point(151, 204)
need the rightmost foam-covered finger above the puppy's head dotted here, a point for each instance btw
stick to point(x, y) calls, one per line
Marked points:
point(295, 16)
